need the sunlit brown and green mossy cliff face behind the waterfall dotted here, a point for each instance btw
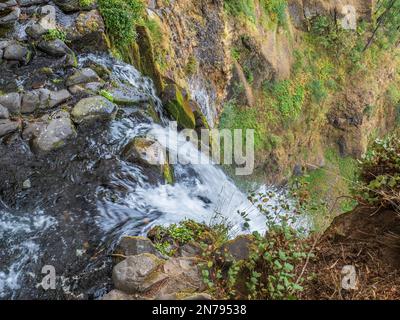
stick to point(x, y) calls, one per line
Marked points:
point(237, 58)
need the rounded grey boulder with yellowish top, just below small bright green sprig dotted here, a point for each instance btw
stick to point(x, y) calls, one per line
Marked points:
point(96, 107)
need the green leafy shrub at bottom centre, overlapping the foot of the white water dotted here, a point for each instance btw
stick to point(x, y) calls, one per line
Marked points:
point(272, 268)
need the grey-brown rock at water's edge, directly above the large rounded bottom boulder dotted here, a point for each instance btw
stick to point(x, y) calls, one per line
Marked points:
point(132, 246)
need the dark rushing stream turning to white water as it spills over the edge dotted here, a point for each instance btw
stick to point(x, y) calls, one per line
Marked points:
point(93, 197)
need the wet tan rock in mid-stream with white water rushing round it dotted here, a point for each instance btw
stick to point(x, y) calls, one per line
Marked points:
point(144, 150)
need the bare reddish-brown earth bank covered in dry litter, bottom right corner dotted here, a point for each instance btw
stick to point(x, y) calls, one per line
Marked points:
point(367, 239)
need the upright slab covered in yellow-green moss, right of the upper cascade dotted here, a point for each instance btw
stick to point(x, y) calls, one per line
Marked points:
point(178, 106)
